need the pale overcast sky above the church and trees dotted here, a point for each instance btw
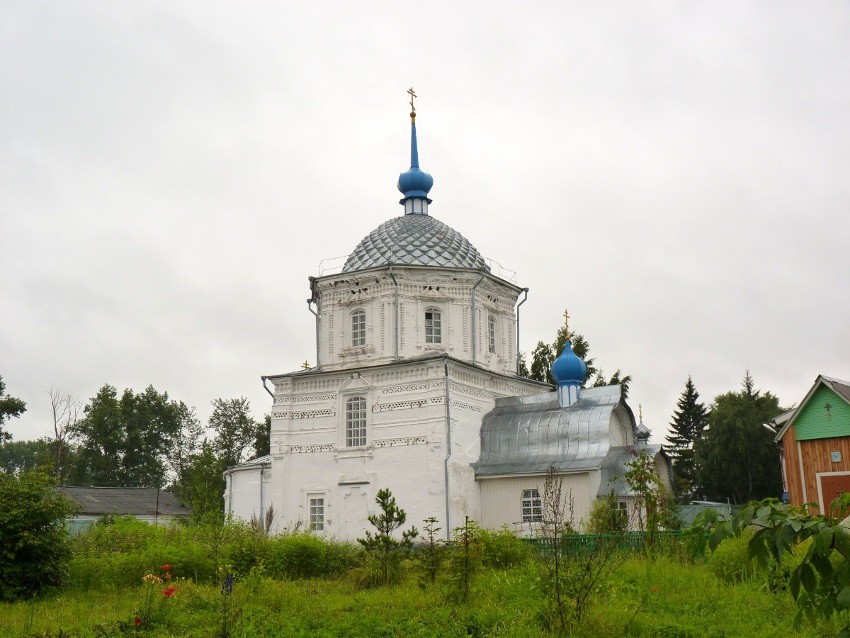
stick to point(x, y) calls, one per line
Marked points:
point(676, 174)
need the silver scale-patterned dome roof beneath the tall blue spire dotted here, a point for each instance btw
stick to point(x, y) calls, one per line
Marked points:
point(415, 240)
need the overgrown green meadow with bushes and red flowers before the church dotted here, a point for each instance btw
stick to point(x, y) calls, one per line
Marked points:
point(127, 577)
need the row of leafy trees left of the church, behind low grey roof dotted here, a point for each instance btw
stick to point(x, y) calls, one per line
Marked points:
point(138, 439)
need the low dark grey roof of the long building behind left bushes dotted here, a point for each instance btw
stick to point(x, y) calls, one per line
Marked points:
point(131, 501)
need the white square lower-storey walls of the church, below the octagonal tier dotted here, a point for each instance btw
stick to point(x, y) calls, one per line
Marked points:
point(406, 444)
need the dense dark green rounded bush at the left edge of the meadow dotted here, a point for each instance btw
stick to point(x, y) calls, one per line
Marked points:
point(33, 541)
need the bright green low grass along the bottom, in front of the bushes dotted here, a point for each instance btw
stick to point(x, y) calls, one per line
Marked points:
point(664, 598)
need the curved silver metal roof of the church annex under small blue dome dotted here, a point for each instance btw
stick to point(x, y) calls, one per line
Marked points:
point(527, 435)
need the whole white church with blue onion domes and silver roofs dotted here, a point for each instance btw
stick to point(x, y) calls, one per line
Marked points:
point(415, 389)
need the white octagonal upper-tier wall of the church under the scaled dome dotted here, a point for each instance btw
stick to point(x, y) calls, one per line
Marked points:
point(447, 291)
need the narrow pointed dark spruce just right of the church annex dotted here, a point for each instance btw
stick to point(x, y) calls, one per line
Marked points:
point(689, 422)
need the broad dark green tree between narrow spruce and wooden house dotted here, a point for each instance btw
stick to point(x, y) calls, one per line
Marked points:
point(736, 458)
